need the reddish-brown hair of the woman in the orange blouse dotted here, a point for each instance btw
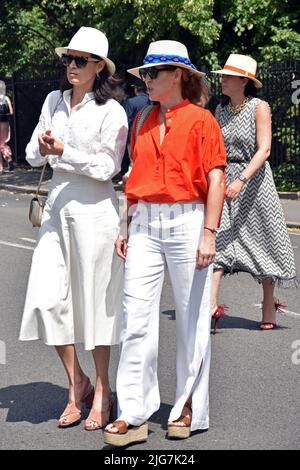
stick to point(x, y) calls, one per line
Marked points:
point(194, 88)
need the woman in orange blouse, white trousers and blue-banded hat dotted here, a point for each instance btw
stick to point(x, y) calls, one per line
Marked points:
point(175, 195)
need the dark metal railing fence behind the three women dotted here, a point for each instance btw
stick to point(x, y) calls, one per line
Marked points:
point(281, 89)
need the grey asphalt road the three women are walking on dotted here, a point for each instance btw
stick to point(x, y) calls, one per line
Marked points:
point(254, 398)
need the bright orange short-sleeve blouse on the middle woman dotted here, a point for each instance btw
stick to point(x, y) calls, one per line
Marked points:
point(176, 169)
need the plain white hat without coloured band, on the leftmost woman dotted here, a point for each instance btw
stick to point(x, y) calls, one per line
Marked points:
point(89, 40)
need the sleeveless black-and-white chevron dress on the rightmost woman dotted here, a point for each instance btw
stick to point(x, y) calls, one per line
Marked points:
point(253, 236)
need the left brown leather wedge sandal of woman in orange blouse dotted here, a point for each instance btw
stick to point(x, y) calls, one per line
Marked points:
point(127, 434)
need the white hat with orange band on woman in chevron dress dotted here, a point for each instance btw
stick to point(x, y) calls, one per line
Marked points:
point(241, 66)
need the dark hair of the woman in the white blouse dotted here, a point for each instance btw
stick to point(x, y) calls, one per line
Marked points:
point(105, 86)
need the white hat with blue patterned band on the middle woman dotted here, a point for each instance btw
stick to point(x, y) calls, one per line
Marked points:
point(166, 52)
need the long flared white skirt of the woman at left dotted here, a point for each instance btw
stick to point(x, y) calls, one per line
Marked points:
point(75, 286)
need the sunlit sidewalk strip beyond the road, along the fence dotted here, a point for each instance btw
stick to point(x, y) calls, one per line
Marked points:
point(25, 180)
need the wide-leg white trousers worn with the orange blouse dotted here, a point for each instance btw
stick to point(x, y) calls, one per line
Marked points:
point(159, 234)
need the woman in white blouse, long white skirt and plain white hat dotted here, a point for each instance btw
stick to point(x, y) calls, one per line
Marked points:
point(74, 290)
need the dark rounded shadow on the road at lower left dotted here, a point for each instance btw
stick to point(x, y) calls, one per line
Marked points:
point(35, 402)
